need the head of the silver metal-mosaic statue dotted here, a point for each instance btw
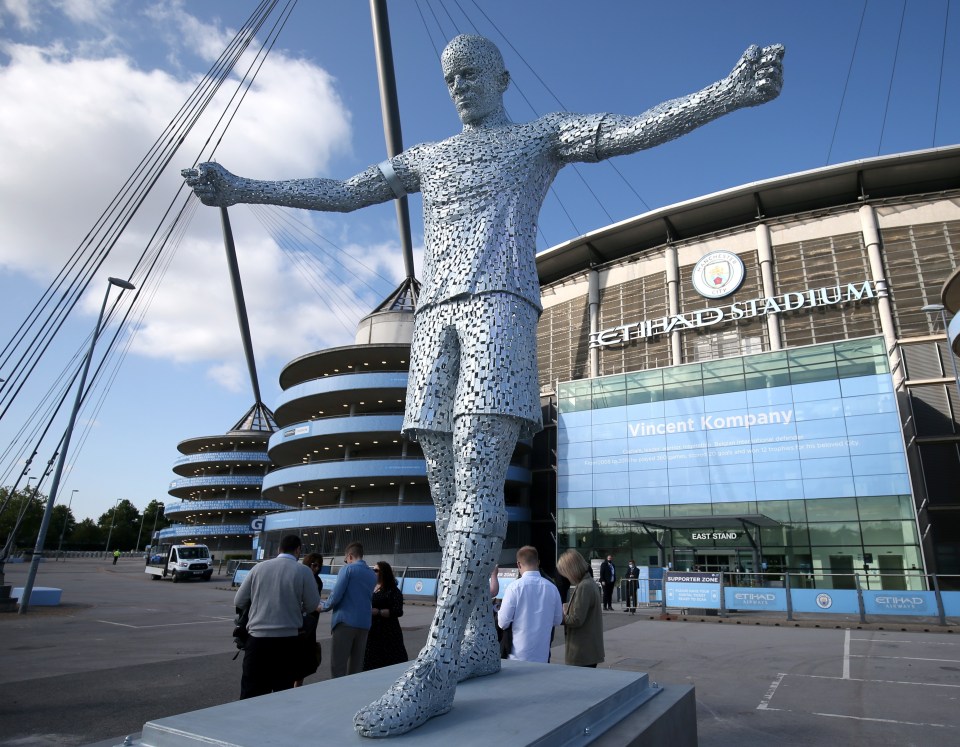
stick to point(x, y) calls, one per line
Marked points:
point(475, 76)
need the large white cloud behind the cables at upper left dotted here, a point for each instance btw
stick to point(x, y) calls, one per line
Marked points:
point(74, 128)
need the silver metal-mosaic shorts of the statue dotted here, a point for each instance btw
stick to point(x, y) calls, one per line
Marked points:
point(474, 355)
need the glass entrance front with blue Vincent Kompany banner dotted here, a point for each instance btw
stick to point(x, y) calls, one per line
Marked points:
point(809, 437)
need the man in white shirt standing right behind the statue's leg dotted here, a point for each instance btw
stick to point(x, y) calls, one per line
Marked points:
point(531, 607)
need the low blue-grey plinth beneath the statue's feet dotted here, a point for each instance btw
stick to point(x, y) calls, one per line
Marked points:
point(525, 704)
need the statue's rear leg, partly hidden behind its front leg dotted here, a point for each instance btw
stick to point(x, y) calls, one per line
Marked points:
point(479, 648)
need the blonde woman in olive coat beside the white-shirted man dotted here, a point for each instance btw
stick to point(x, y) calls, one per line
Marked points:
point(582, 618)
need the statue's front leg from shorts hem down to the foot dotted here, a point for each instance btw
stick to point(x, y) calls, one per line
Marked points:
point(474, 532)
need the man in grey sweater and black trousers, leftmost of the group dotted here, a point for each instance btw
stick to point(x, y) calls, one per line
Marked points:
point(278, 592)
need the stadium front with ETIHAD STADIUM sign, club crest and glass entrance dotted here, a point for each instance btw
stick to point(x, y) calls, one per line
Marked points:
point(750, 380)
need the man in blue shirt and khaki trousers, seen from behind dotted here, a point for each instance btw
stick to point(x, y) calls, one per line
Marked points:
point(350, 602)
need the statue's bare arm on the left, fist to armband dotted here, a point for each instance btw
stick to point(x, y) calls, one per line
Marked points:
point(216, 186)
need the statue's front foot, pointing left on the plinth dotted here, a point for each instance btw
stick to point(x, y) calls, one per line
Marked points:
point(422, 692)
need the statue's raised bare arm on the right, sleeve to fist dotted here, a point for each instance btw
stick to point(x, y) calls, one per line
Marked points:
point(755, 79)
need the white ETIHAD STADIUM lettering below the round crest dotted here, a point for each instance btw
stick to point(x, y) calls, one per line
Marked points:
point(813, 298)
